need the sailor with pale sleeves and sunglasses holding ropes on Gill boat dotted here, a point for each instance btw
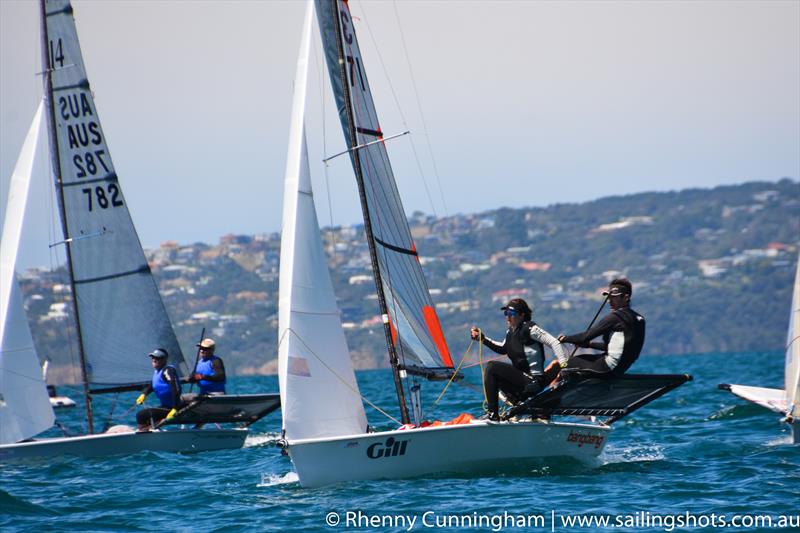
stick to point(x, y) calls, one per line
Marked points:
point(524, 345)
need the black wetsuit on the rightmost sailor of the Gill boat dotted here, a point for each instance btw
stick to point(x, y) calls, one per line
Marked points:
point(622, 332)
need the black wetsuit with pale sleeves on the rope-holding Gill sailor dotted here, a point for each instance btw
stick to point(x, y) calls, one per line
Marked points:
point(525, 347)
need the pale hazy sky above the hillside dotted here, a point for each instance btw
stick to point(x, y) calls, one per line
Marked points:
point(509, 103)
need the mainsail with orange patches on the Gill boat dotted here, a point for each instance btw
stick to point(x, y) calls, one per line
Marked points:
point(416, 331)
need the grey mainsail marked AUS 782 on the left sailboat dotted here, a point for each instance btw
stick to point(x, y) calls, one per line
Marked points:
point(121, 314)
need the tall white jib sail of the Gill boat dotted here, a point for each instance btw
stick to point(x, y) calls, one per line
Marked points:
point(319, 393)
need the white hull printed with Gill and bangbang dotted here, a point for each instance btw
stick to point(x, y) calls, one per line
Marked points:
point(479, 447)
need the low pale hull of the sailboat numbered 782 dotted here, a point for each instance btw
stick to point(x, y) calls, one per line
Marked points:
point(129, 442)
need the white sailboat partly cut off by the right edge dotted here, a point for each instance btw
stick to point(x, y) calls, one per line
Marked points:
point(785, 401)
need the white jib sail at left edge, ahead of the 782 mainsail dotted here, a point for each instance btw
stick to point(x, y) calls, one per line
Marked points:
point(24, 405)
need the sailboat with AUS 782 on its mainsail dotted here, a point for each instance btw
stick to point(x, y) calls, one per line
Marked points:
point(118, 312)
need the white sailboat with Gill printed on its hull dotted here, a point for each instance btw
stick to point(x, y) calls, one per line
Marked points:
point(325, 430)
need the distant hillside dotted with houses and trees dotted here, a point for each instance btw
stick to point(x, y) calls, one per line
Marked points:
point(712, 271)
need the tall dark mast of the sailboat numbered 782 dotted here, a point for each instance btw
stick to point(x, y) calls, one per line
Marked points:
point(48, 65)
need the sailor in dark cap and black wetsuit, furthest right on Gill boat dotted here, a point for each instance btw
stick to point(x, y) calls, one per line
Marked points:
point(622, 332)
